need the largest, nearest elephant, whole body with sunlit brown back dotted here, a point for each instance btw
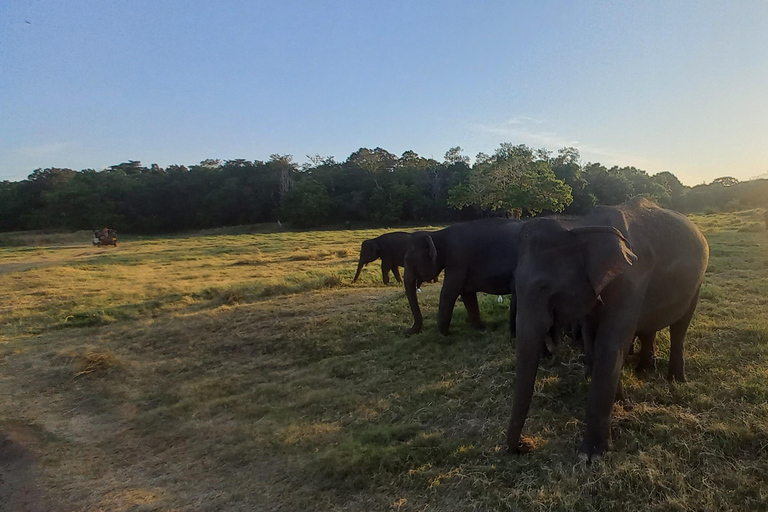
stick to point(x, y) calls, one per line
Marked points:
point(631, 269)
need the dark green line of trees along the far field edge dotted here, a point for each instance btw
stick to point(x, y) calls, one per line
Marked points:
point(371, 186)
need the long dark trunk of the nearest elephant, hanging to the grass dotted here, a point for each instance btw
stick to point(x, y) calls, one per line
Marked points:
point(530, 341)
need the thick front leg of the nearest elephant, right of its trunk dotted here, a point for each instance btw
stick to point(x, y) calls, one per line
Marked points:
point(608, 362)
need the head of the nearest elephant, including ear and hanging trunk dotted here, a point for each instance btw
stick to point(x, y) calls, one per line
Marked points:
point(559, 278)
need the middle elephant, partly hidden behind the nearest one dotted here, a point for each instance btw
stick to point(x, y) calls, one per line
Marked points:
point(477, 256)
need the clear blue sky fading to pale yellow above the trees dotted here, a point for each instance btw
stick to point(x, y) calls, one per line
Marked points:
point(679, 86)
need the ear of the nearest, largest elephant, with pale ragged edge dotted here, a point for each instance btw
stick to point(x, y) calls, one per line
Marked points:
point(607, 254)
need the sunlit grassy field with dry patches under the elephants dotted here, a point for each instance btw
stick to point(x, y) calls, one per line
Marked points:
point(245, 372)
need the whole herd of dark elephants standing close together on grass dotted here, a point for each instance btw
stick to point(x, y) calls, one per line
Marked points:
point(614, 274)
